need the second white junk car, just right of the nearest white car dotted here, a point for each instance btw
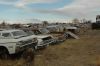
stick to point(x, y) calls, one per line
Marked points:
point(43, 40)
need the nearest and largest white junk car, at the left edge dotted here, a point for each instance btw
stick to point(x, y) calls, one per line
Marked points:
point(14, 41)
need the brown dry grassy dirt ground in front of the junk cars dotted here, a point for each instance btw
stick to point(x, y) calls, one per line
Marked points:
point(82, 52)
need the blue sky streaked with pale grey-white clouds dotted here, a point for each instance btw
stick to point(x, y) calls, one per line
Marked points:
point(15, 11)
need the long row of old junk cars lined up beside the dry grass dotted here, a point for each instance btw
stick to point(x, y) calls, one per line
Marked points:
point(13, 41)
